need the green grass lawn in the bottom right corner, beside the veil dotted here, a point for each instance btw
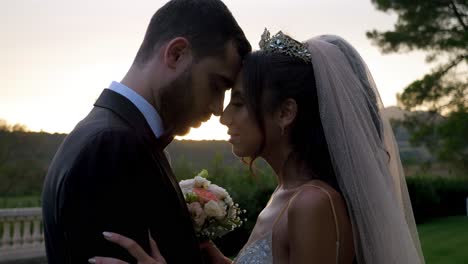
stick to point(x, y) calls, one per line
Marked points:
point(445, 240)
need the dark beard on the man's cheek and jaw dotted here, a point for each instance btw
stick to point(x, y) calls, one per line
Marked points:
point(177, 104)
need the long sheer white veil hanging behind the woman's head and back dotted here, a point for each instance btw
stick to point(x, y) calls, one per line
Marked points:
point(364, 155)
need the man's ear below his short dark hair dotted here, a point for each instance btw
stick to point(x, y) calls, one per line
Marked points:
point(177, 52)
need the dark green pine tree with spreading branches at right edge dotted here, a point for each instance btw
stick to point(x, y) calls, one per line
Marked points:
point(439, 27)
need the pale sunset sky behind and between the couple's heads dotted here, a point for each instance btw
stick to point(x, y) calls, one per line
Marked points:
point(58, 55)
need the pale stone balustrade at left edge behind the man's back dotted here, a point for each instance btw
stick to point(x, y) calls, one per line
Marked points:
point(21, 234)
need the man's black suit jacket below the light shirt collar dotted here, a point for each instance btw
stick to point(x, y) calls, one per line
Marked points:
point(110, 174)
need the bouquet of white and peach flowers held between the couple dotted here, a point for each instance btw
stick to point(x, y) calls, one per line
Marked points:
point(213, 211)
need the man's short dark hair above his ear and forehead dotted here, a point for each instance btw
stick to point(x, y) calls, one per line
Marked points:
point(207, 24)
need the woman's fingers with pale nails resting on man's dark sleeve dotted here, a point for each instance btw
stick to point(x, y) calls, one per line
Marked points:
point(133, 248)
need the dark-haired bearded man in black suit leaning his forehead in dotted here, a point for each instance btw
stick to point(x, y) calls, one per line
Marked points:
point(110, 173)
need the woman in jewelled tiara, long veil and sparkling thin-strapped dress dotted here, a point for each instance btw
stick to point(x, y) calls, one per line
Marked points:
point(313, 112)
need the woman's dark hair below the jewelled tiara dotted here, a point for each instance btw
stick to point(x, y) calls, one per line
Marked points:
point(271, 78)
